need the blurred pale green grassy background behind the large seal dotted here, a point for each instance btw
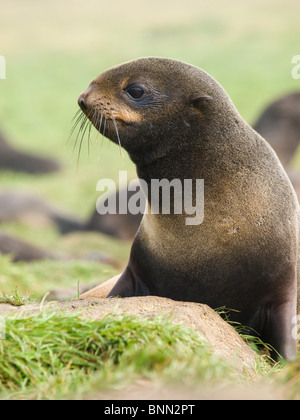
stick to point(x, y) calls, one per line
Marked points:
point(53, 49)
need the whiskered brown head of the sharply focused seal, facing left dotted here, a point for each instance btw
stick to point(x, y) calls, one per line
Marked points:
point(150, 105)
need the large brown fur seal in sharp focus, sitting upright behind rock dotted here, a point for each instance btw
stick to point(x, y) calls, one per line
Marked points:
point(177, 122)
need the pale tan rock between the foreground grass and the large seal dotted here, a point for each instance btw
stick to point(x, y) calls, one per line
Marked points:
point(225, 341)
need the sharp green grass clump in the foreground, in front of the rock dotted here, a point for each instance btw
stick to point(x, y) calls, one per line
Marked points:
point(49, 356)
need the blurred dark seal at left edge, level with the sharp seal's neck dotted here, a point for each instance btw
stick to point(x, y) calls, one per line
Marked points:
point(18, 161)
